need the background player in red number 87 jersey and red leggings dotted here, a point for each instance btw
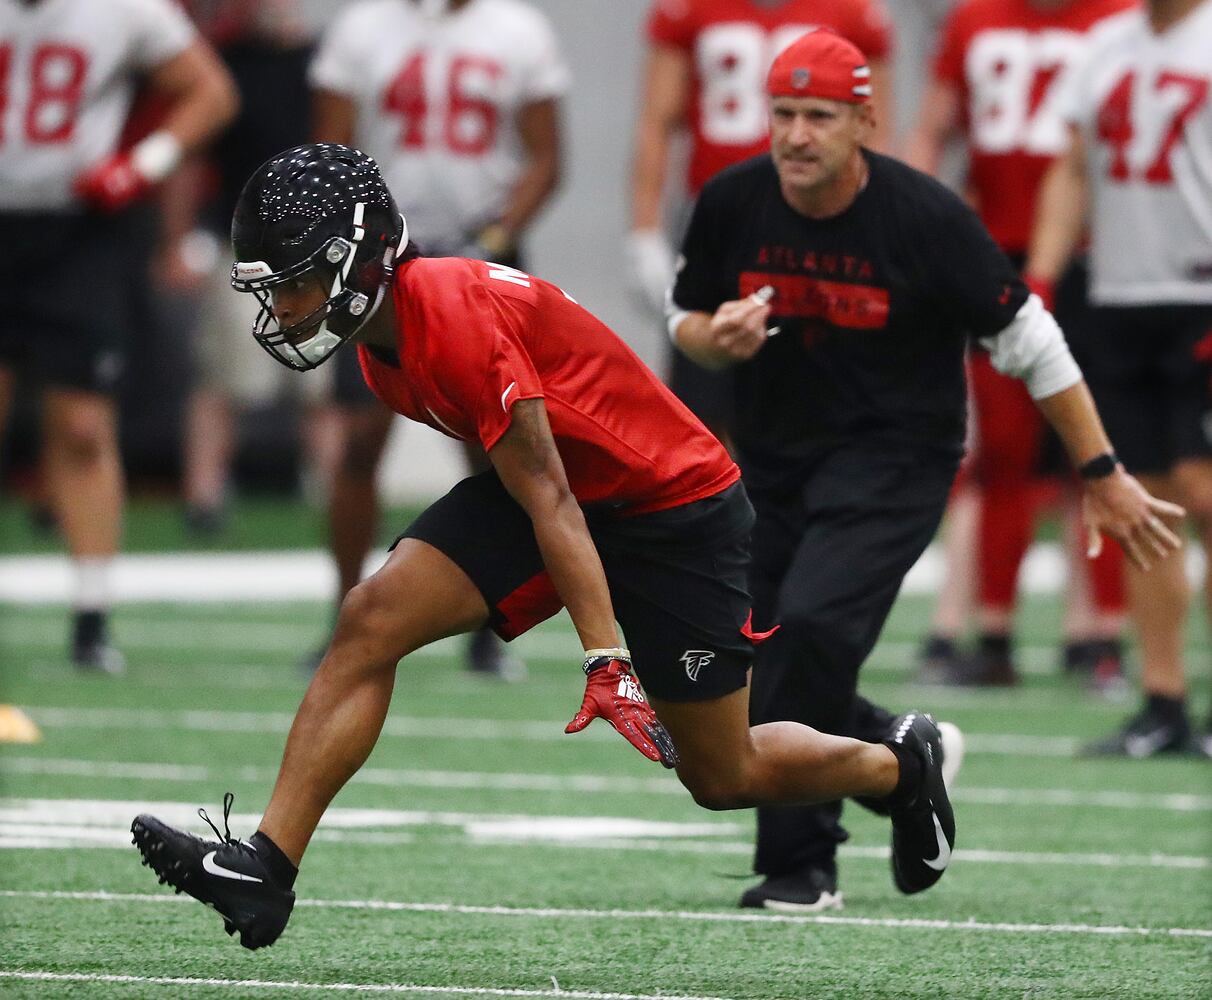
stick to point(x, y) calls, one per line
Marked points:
point(1001, 70)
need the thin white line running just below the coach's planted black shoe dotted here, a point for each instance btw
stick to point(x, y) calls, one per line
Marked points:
point(710, 917)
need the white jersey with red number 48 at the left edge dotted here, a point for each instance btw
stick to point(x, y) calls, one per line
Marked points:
point(68, 71)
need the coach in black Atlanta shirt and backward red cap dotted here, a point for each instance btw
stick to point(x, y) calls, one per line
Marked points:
point(843, 287)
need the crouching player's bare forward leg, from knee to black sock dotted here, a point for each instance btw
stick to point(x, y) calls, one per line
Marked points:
point(418, 598)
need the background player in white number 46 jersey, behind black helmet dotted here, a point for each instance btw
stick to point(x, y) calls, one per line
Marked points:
point(460, 104)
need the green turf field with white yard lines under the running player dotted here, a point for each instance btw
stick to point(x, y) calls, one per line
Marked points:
point(484, 854)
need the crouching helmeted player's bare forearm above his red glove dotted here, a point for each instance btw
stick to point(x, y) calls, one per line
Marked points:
point(576, 570)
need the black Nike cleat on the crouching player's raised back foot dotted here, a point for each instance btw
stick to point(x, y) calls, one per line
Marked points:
point(924, 830)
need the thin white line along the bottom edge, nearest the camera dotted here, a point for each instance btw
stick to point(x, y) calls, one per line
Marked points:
point(190, 981)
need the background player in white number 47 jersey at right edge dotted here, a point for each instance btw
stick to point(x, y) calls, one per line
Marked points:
point(1141, 159)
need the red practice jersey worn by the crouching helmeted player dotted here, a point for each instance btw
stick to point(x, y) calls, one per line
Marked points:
point(476, 338)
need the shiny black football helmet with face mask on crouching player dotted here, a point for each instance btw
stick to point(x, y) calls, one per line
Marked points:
point(322, 213)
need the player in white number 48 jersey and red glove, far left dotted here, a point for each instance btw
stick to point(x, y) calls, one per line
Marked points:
point(68, 77)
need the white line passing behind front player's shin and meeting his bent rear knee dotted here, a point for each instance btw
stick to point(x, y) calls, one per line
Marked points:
point(1176, 802)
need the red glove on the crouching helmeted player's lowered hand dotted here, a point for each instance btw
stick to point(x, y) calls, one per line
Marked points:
point(613, 694)
